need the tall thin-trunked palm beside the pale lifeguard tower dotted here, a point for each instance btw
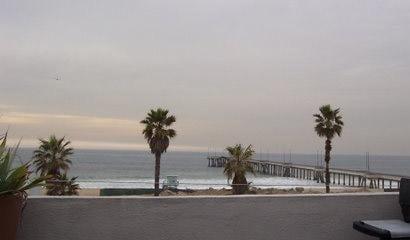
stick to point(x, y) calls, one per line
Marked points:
point(158, 133)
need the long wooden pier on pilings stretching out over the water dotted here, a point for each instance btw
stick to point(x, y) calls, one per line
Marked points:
point(341, 177)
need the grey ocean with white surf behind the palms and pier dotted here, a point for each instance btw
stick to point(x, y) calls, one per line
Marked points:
point(135, 169)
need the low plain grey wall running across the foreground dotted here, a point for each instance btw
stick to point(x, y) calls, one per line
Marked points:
point(178, 218)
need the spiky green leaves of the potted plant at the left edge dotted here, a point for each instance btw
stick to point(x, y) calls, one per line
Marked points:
point(14, 180)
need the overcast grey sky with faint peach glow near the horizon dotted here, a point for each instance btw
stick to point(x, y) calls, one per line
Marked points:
point(232, 71)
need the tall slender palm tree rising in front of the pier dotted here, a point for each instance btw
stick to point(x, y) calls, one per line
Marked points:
point(328, 124)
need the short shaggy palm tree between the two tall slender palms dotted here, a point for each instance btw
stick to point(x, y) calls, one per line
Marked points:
point(237, 166)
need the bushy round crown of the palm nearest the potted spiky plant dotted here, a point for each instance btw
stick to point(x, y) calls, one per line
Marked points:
point(53, 156)
